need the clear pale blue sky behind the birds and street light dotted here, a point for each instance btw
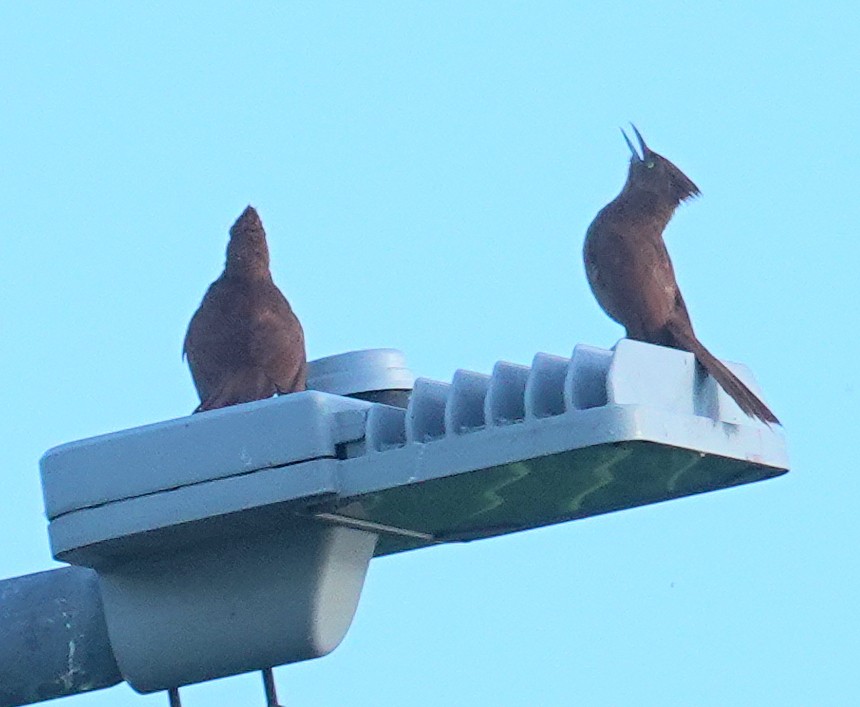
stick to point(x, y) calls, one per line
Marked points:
point(426, 173)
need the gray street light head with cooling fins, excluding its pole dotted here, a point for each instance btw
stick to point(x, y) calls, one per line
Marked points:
point(199, 527)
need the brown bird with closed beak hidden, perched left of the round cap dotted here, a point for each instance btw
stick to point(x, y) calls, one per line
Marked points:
point(244, 342)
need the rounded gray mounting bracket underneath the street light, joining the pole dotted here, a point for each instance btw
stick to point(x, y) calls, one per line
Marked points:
point(235, 605)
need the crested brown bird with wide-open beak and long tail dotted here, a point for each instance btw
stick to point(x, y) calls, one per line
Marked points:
point(631, 274)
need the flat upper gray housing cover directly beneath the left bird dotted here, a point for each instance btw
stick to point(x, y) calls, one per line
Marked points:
point(194, 450)
